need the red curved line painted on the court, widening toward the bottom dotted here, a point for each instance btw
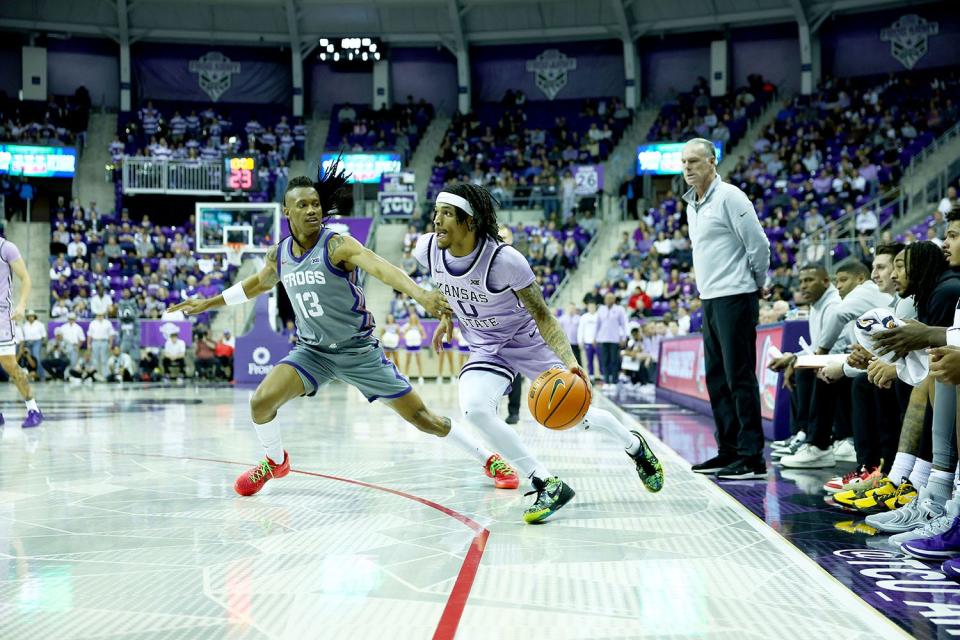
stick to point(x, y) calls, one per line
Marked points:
point(457, 601)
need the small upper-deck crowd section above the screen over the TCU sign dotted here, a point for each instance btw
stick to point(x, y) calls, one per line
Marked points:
point(398, 128)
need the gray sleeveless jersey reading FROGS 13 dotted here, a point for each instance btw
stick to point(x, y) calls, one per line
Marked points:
point(329, 304)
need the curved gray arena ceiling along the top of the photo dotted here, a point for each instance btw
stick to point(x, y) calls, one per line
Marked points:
point(449, 23)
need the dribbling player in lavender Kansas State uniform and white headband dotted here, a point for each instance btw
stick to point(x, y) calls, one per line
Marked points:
point(503, 316)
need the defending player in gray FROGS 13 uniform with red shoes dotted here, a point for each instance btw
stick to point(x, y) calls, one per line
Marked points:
point(318, 270)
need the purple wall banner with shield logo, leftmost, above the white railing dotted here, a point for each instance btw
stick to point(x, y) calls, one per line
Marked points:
point(223, 74)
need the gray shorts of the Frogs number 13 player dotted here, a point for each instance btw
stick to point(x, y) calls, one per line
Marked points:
point(364, 366)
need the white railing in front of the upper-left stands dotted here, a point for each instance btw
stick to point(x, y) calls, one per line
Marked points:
point(188, 177)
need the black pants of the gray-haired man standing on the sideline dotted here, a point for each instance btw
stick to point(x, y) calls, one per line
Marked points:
point(730, 355)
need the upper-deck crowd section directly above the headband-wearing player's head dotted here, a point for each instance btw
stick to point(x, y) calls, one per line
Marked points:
point(523, 151)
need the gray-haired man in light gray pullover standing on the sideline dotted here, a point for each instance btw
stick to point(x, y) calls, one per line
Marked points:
point(731, 256)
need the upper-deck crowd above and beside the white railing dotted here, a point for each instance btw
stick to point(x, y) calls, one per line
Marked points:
point(209, 133)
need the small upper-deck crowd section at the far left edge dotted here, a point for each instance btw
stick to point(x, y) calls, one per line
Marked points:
point(59, 121)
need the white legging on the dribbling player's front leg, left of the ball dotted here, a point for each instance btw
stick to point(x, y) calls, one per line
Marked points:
point(480, 393)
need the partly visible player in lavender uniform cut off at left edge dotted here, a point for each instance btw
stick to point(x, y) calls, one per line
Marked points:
point(12, 264)
